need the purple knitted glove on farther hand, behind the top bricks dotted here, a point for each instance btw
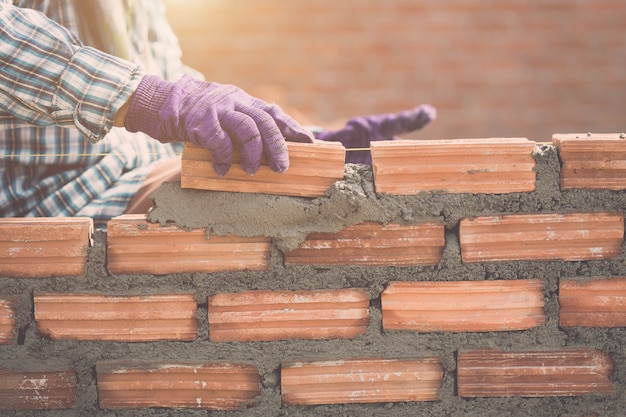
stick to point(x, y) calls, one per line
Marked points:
point(360, 131)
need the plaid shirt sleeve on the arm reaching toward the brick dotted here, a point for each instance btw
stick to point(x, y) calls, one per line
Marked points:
point(48, 77)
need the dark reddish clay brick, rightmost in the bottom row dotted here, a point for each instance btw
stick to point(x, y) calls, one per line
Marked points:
point(567, 372)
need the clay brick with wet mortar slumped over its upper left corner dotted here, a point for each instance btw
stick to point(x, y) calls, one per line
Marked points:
point(373, 244)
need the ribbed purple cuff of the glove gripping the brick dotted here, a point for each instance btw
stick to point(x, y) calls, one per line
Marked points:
point(143, 111)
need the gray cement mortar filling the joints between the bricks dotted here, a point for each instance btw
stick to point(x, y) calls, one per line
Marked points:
point(288, 220)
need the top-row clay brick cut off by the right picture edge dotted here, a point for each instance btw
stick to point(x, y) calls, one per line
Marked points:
point(596, 161)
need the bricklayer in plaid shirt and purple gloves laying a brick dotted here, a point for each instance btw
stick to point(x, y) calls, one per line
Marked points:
point(95, 104)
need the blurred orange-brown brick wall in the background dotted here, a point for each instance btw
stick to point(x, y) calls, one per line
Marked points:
point(492, 68)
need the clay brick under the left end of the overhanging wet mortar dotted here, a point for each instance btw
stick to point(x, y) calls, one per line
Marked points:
point(135, 246)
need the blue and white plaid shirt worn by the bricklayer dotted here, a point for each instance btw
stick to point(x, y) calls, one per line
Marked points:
point(59, 154)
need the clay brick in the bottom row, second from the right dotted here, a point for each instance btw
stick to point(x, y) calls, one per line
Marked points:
point(367, 380)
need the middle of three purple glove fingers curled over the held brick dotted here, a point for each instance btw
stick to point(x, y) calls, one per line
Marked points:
point(246, 138)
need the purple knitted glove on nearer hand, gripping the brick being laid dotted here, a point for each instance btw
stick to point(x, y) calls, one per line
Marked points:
point(217, 117)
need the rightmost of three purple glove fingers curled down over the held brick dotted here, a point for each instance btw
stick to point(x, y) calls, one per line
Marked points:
point(274, 145)
